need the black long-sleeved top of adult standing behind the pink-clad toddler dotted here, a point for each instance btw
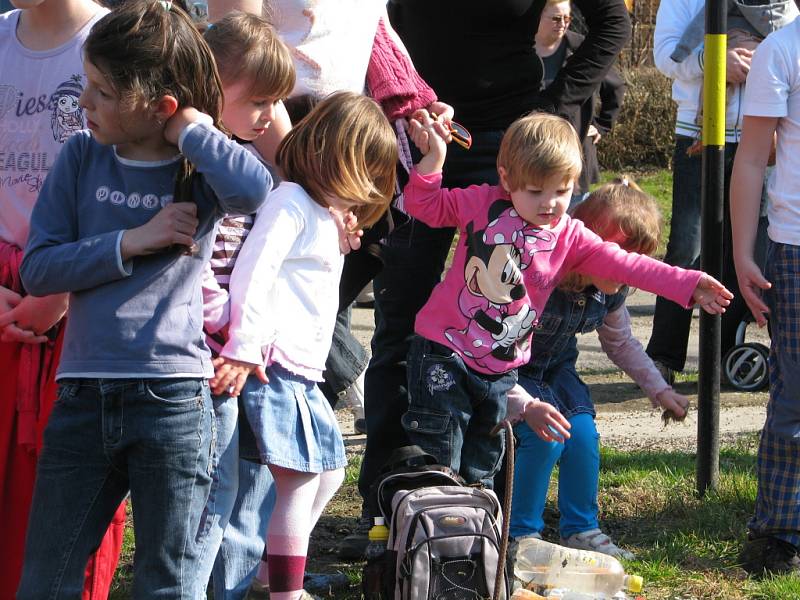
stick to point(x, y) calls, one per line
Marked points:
point(478, 55)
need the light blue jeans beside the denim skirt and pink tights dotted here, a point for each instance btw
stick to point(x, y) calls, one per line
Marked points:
point(235, 519)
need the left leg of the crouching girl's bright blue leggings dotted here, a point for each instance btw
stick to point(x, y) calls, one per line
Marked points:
point(533, 466)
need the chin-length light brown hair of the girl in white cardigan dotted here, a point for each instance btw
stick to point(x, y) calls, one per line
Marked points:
point(346, 148)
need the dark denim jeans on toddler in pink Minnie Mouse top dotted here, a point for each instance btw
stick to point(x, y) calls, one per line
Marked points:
point(453, 409)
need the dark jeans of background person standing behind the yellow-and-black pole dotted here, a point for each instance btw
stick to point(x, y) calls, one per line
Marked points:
point(671, 322)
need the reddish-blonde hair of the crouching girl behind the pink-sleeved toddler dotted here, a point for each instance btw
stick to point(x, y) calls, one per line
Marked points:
point(619, 208)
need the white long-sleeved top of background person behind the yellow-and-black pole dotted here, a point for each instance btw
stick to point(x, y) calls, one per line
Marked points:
point(671, 21)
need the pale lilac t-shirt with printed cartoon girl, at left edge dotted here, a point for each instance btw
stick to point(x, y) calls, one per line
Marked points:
point(39, 110)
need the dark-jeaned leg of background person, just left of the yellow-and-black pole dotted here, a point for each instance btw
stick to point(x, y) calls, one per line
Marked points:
point(671, 322)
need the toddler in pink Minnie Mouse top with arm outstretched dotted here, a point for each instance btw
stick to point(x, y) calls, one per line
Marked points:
point(516, 243)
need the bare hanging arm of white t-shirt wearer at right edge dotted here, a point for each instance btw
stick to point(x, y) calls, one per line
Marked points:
point(746, 183)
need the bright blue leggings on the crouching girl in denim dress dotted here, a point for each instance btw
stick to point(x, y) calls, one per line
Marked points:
point(578, 477)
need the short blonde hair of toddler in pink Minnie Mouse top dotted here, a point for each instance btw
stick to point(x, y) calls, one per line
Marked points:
point(538, 147)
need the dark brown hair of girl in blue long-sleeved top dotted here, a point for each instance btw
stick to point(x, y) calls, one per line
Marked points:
point(147, 49)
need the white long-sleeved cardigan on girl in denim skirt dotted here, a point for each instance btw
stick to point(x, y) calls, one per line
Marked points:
point(285, 285)
